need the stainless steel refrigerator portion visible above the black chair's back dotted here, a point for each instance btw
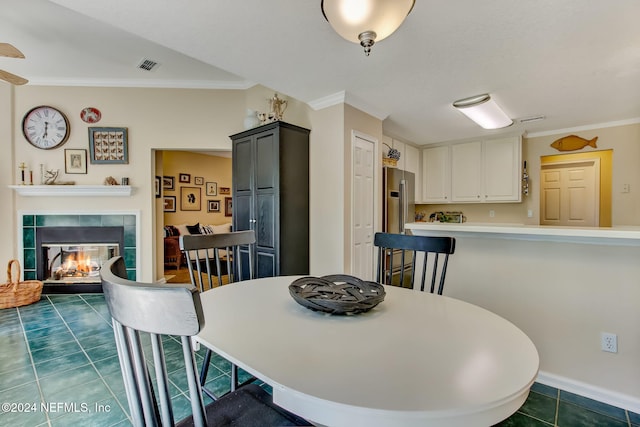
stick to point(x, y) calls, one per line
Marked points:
point(399, 205)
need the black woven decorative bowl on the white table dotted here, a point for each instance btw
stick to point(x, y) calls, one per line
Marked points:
point(337, 294)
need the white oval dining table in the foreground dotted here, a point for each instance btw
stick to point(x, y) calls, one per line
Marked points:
point(416, 359)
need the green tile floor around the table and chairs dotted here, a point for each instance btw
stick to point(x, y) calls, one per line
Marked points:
point(59, 367)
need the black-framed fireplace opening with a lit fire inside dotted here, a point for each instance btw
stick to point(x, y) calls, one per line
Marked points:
point(70, 258)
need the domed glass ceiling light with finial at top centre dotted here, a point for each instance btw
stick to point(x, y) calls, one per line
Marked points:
point(366, 21)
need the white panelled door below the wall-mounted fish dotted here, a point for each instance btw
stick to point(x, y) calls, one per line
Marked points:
point(570, 193)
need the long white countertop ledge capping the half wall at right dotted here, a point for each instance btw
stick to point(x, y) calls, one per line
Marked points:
point(621, 236)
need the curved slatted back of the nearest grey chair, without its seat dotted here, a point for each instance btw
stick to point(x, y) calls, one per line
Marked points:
point(144, 312)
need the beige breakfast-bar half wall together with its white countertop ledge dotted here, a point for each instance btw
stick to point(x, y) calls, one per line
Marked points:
point(564, 287)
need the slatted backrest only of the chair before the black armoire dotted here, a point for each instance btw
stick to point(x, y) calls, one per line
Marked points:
point(213, 255)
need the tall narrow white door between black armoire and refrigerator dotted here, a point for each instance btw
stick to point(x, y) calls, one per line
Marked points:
point(363, 206)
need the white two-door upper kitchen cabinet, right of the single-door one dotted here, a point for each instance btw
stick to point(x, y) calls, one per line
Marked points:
point(486, 171)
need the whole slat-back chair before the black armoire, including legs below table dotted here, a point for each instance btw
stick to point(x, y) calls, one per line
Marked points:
point(217, 256)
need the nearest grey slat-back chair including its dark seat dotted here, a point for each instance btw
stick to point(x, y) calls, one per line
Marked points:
point(144, 312)
